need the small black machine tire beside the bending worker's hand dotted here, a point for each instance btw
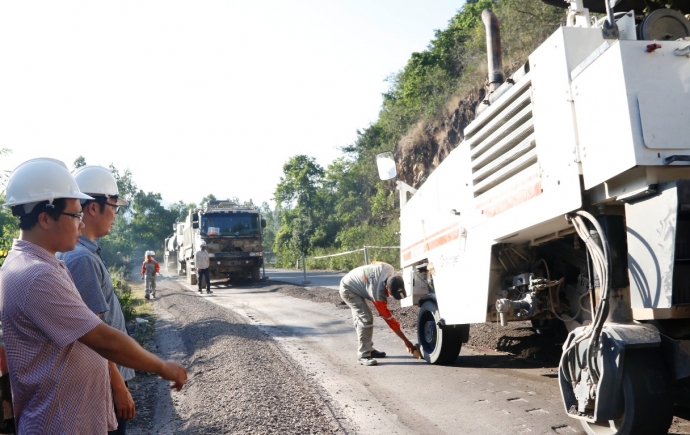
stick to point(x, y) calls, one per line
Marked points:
point(437, 346)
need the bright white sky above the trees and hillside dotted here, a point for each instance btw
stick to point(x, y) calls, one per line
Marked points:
point(201, 97)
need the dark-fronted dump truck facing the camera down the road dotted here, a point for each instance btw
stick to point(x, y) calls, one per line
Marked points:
point(232, 233)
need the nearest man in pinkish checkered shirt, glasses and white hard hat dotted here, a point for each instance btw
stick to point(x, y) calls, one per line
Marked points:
point(57, 348)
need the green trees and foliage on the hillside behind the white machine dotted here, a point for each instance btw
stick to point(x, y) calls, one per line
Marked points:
point(345, 206)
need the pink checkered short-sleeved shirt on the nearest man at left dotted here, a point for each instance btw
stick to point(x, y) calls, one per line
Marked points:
point(59, 385)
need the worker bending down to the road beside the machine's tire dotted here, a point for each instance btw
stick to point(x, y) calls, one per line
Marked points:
point(374, 282)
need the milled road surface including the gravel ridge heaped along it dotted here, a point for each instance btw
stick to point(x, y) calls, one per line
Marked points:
point(261, 361)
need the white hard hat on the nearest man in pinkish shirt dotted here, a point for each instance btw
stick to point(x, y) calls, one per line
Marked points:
point(38, 180)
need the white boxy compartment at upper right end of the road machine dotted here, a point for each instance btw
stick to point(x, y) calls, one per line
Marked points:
point(628, 102)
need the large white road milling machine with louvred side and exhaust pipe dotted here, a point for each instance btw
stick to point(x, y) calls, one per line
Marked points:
point(568, 203)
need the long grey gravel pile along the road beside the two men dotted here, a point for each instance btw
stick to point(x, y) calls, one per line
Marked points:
point(239, 379)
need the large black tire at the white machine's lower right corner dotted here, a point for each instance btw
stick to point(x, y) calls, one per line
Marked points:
point(648, 406)
